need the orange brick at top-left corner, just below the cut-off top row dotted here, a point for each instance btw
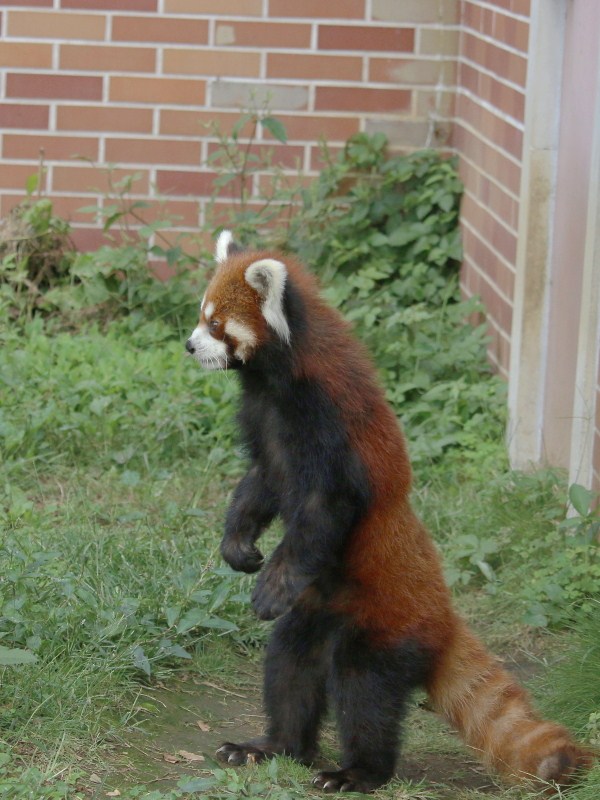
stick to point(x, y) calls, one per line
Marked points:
point(56, 25)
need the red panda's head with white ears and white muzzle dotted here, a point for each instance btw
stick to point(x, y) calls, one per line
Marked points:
point(242, 309)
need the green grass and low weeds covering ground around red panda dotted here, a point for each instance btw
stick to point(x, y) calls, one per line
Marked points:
point(118, 458)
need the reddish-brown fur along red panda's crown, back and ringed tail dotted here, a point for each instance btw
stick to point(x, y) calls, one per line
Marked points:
point(395, 586)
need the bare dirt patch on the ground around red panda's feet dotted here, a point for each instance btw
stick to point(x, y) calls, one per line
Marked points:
point(190, 719)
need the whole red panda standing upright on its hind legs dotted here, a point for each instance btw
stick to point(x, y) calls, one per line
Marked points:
point(363, 613)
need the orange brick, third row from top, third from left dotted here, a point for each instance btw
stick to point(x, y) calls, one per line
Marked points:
point(212, 63)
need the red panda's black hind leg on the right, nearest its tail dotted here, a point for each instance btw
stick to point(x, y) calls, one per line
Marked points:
point(370, 687)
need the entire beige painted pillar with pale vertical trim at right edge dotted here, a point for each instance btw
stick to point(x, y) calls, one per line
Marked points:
point(552, 382)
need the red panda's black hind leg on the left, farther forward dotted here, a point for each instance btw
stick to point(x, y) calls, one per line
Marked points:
point(296, 669)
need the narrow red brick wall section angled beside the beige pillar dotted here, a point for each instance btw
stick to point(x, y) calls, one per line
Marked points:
point(488, 133)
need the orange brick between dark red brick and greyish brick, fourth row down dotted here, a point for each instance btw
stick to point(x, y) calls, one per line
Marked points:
point(166, 91)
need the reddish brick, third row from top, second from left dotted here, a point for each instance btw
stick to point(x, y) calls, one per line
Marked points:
point(104, 58)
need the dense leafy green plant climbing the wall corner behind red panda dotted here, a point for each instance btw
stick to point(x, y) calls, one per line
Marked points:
point(382, 232)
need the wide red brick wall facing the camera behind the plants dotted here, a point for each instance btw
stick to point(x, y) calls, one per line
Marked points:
point(133, 81)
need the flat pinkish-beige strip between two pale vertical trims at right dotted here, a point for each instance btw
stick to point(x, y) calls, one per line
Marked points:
point(578, 95)
